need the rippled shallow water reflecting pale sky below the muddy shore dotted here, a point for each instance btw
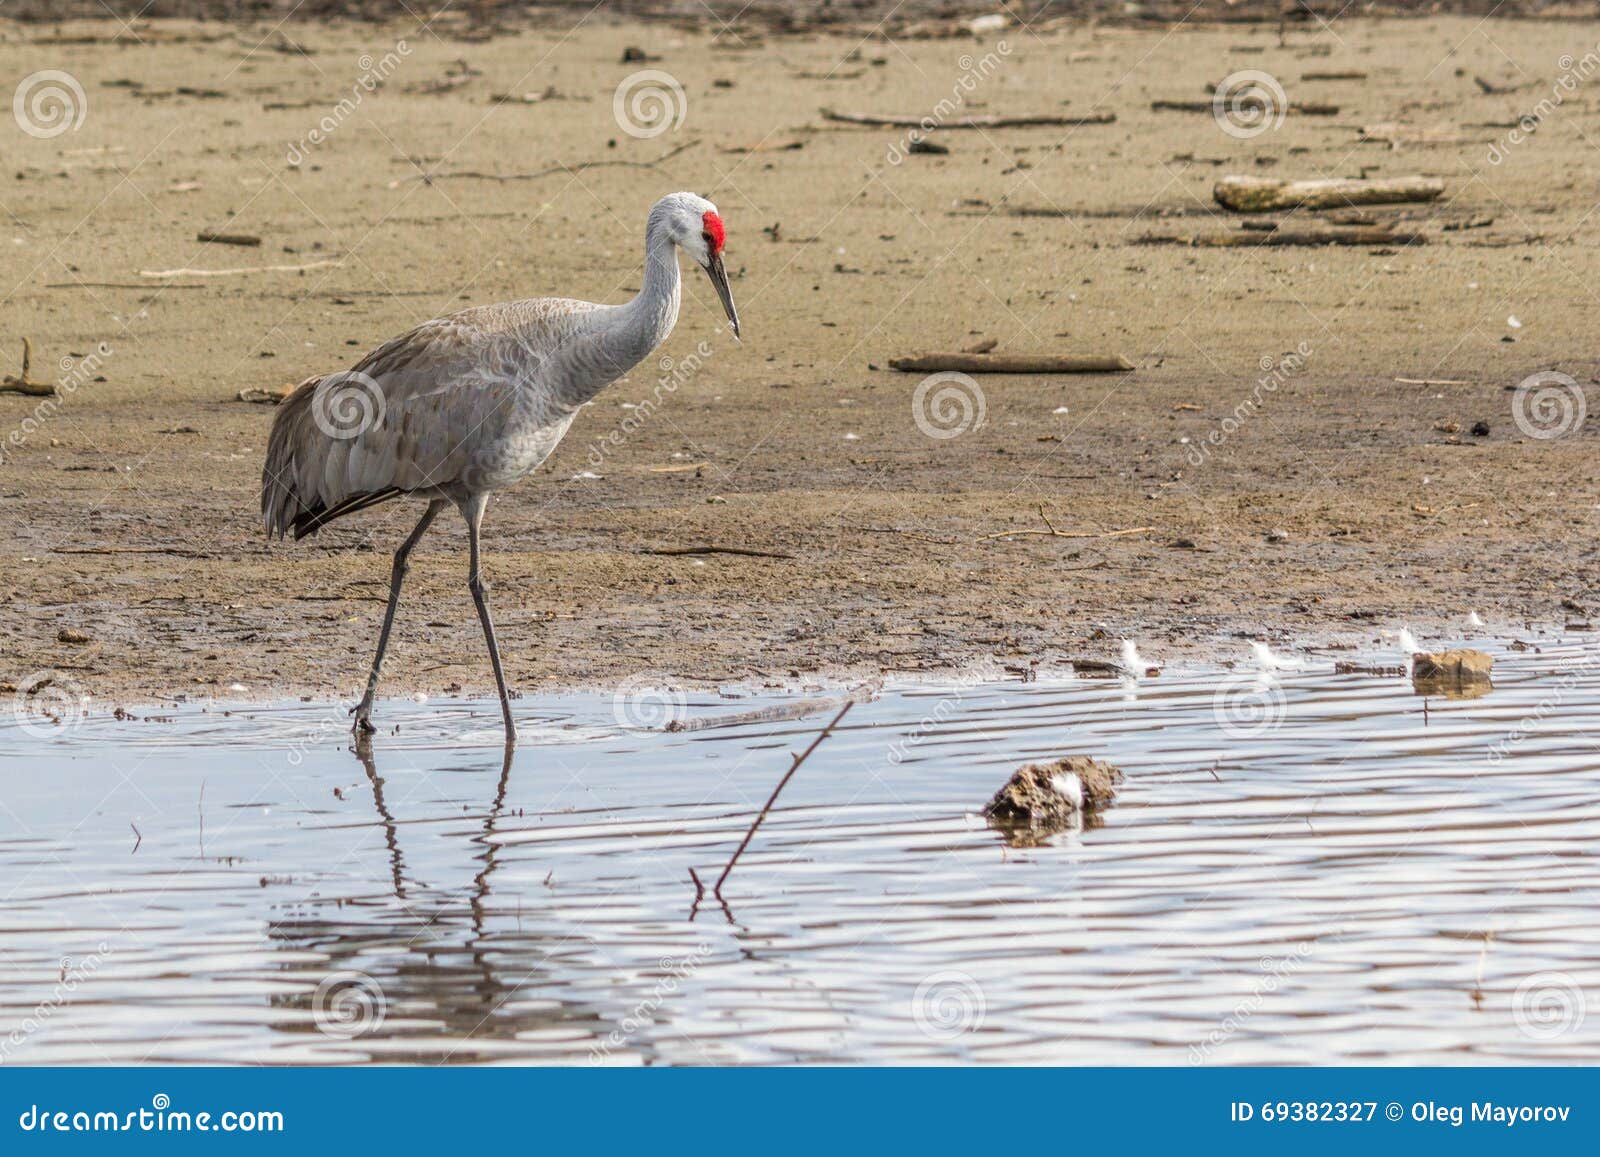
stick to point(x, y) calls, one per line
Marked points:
point(1313, 870)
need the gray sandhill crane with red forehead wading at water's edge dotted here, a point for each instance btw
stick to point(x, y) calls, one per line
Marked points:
point(465, 406)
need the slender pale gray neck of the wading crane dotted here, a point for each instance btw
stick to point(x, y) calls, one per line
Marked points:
point(622, 337)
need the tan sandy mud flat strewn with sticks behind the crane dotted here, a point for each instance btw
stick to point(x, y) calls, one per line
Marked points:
point(1292, 458)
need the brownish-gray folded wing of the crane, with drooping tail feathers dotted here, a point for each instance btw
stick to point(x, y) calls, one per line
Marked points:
point(422, 412)
